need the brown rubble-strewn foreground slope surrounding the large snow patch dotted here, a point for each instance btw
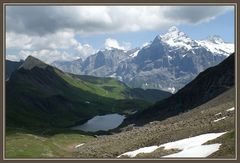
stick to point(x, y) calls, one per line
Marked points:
point(198, 121)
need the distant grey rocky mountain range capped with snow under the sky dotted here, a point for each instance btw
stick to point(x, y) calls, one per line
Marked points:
point(168, 62)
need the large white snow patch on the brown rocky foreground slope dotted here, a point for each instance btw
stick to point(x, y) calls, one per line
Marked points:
point(191, 147)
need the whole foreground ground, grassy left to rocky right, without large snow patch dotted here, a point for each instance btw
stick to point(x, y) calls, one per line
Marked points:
point(211, 117)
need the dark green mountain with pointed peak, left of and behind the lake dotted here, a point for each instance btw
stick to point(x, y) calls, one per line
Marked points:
point(39, 96)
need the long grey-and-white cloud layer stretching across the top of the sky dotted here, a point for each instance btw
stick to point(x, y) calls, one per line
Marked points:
point(42, 20)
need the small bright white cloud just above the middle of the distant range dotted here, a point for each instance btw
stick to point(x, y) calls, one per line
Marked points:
point(112, 43)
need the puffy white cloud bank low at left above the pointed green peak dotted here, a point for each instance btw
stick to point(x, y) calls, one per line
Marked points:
point(57, 46)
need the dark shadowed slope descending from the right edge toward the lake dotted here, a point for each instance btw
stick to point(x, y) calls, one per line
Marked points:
point(206, 86)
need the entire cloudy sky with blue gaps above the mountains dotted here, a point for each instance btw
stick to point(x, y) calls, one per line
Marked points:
point(71, 32)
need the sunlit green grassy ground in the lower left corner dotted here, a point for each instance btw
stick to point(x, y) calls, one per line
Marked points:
point(24, 144)
